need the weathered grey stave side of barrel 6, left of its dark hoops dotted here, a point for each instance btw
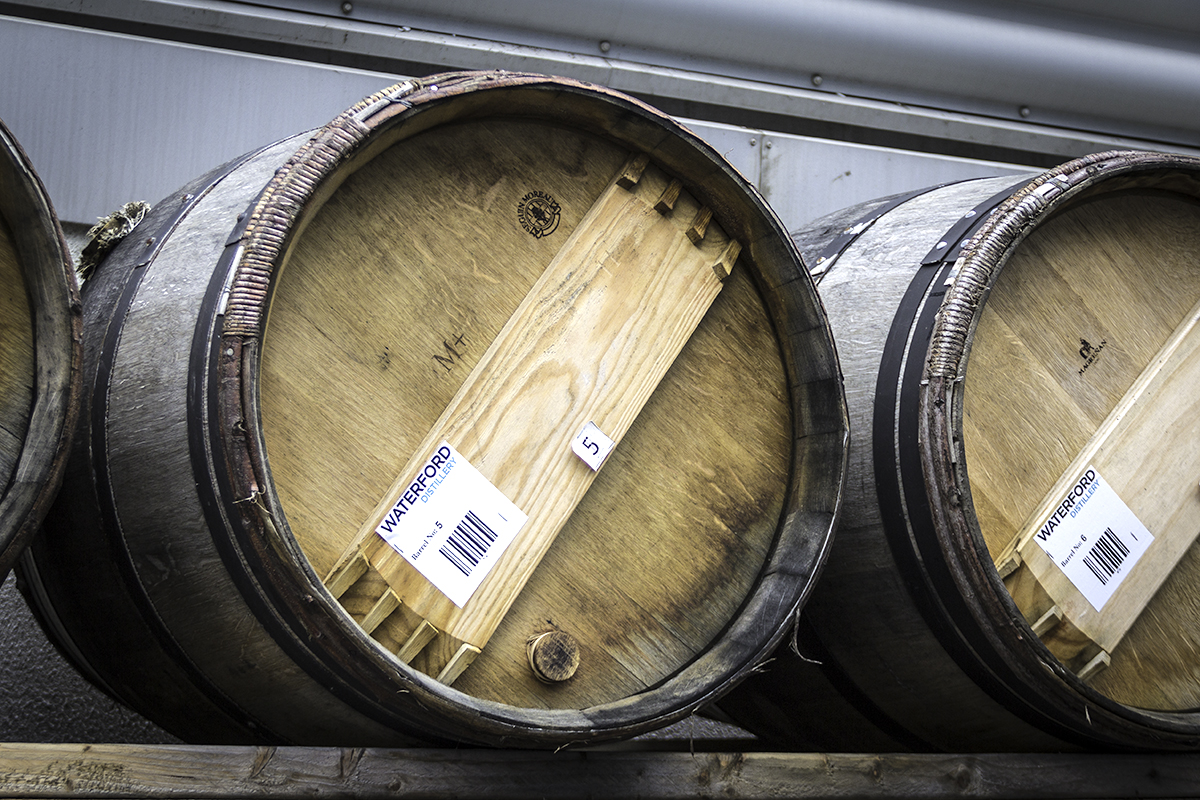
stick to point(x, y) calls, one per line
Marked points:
point(862, 606)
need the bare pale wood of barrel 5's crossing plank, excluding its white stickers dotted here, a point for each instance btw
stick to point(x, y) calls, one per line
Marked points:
point(590, 342)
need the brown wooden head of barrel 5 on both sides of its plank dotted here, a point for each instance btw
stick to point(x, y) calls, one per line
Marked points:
point(430, 276)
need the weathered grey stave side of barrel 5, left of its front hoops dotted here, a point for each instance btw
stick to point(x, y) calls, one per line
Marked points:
point(98, 611)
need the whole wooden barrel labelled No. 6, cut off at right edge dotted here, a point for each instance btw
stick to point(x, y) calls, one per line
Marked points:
point(1016, 568)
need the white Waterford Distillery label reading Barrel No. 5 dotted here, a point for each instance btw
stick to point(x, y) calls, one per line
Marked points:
point(452, 525)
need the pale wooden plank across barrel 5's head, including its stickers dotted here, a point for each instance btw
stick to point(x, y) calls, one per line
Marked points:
point(587, 345)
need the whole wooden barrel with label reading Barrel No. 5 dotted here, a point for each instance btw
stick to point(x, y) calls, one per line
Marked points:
point(466, 269)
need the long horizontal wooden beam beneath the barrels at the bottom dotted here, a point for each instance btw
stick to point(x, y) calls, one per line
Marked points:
point(203, 773)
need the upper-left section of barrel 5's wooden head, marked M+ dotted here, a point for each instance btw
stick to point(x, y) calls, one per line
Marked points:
point(392, 297)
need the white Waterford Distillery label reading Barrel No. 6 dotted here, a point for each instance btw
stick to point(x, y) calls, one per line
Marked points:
point(1094, 538)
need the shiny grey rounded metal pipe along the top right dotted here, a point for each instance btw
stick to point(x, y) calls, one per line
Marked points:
point(1049, 62)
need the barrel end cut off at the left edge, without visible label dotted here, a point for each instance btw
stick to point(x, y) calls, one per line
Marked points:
point(40, 351)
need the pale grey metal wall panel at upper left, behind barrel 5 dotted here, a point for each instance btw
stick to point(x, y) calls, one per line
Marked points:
point(107, 118)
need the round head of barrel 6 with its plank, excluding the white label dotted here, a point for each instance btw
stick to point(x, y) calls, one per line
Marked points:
point(1119, 272)
